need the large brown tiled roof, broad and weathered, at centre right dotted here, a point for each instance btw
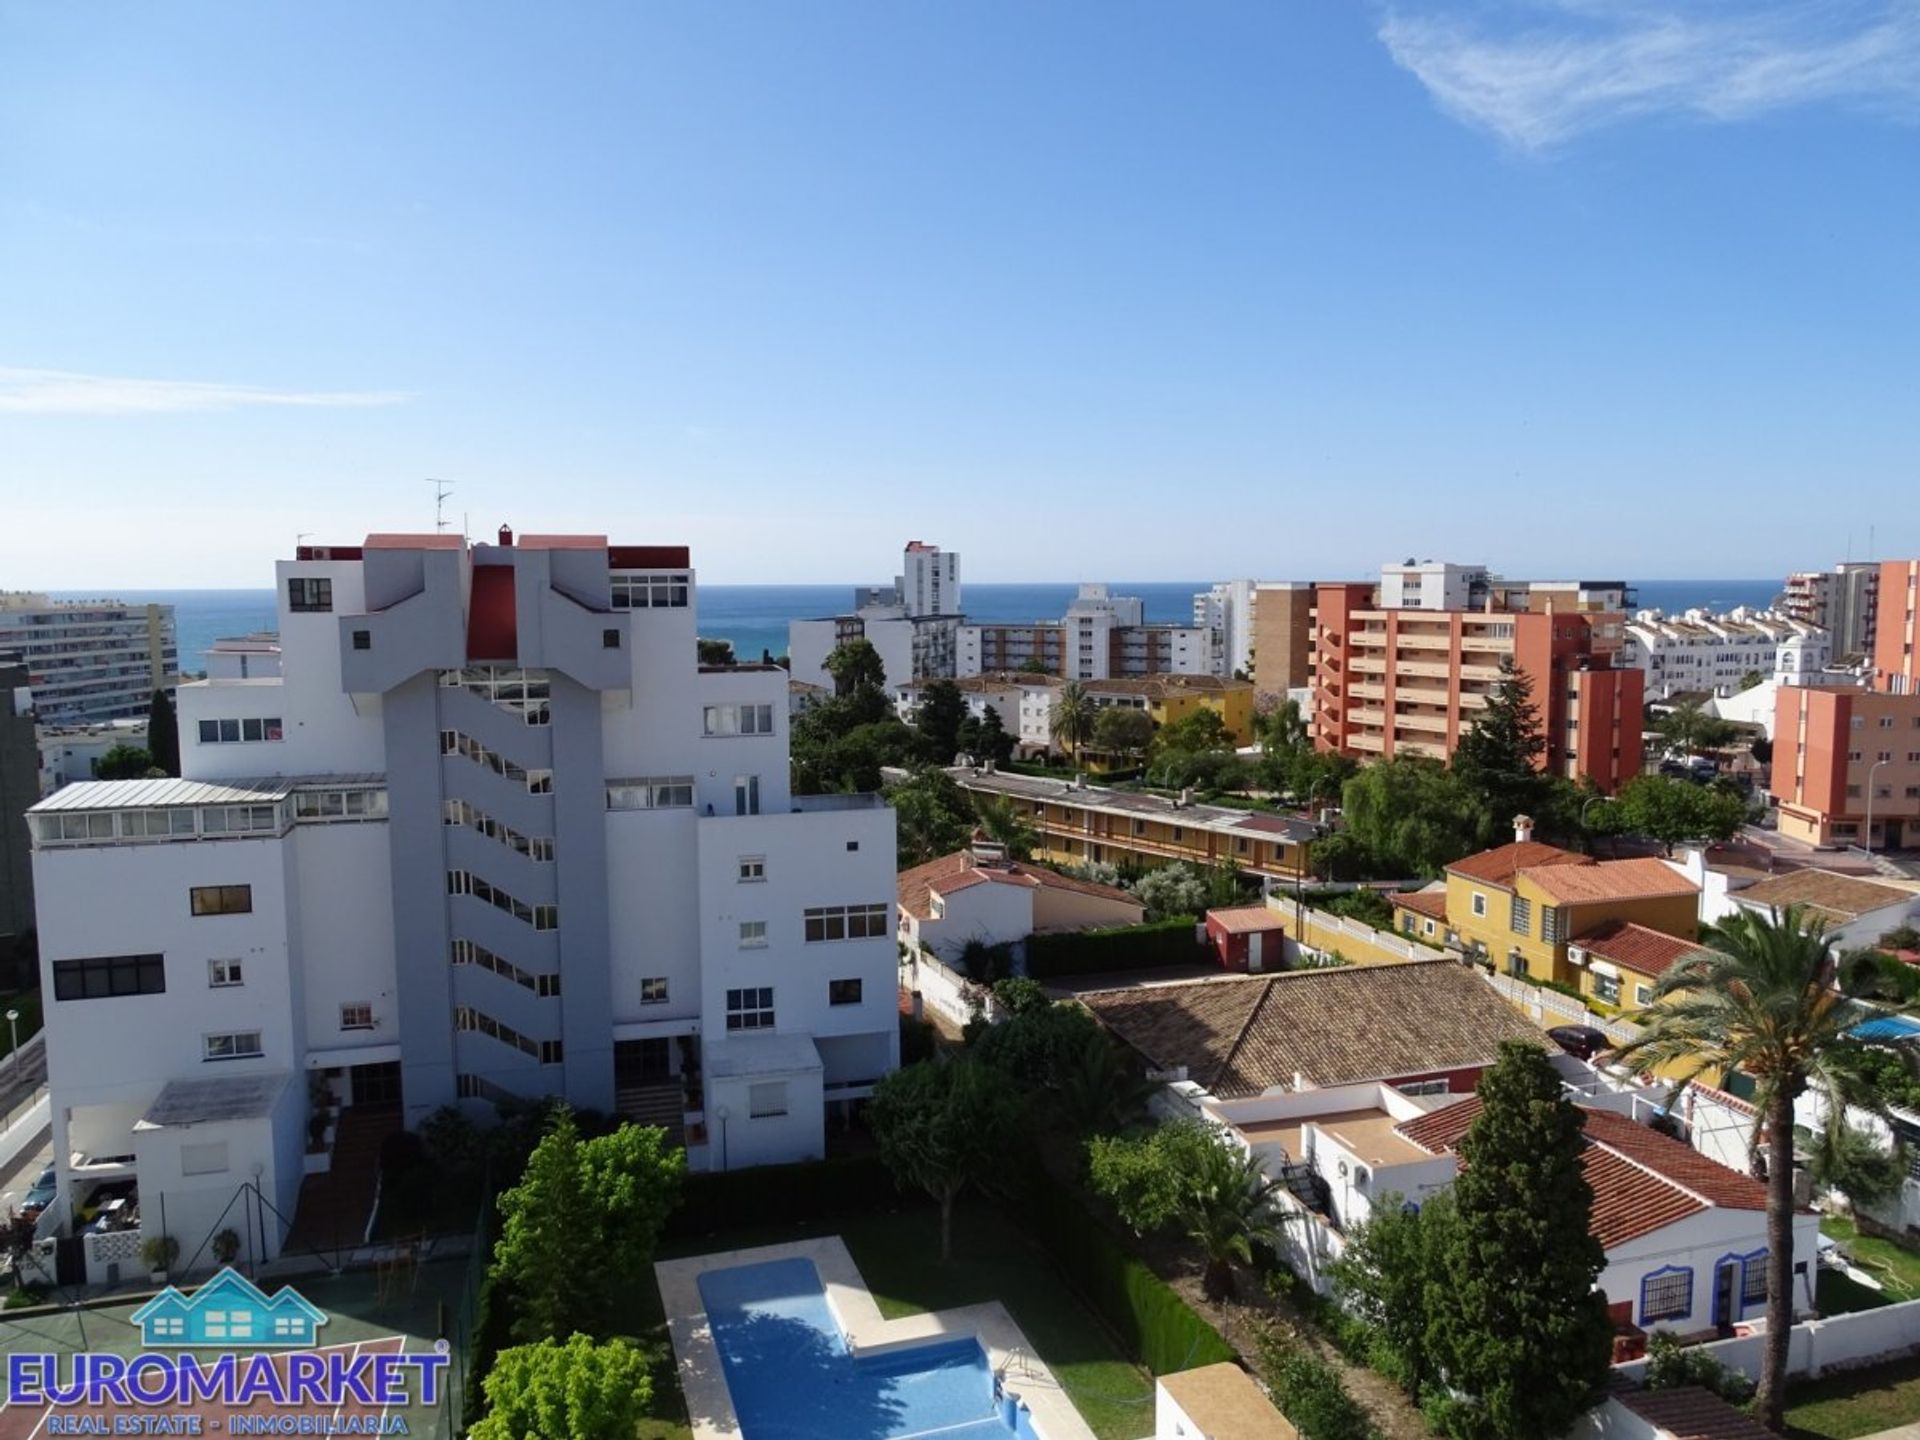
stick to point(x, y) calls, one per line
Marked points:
point(1320, 1026)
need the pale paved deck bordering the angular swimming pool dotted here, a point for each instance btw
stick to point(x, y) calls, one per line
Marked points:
point(704, 1378)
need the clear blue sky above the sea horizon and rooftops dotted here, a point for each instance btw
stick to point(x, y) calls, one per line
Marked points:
point(1082, 291)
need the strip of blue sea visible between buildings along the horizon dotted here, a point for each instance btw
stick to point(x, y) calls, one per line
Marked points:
point(756, 617)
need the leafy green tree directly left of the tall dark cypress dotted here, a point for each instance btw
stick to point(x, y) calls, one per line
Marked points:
point(1385, 1278)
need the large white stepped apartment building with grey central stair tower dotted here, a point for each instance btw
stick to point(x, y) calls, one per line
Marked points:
point(491, 834)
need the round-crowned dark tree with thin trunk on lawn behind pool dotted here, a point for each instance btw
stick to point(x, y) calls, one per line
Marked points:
point(944, 1128)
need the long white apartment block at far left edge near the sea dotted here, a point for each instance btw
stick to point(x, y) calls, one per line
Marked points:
point(91, 661)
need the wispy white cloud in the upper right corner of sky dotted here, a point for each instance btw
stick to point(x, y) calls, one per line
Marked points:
point(1558, 70)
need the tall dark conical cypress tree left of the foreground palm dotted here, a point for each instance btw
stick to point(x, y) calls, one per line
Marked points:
point(1516, 1322)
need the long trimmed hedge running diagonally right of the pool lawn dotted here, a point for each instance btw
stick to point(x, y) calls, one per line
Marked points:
point(1143, 1310)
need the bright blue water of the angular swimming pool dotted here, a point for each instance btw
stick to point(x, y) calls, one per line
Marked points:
point(794, 1376)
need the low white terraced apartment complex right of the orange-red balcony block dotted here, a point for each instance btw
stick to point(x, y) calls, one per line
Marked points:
point(1712, 654)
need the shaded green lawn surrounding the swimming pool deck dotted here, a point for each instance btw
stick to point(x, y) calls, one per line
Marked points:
point(994, 1260)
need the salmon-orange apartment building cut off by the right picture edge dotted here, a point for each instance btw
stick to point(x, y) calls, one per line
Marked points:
point(1848, 761)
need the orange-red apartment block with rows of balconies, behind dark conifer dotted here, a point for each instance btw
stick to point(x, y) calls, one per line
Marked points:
point(1412, 683)
